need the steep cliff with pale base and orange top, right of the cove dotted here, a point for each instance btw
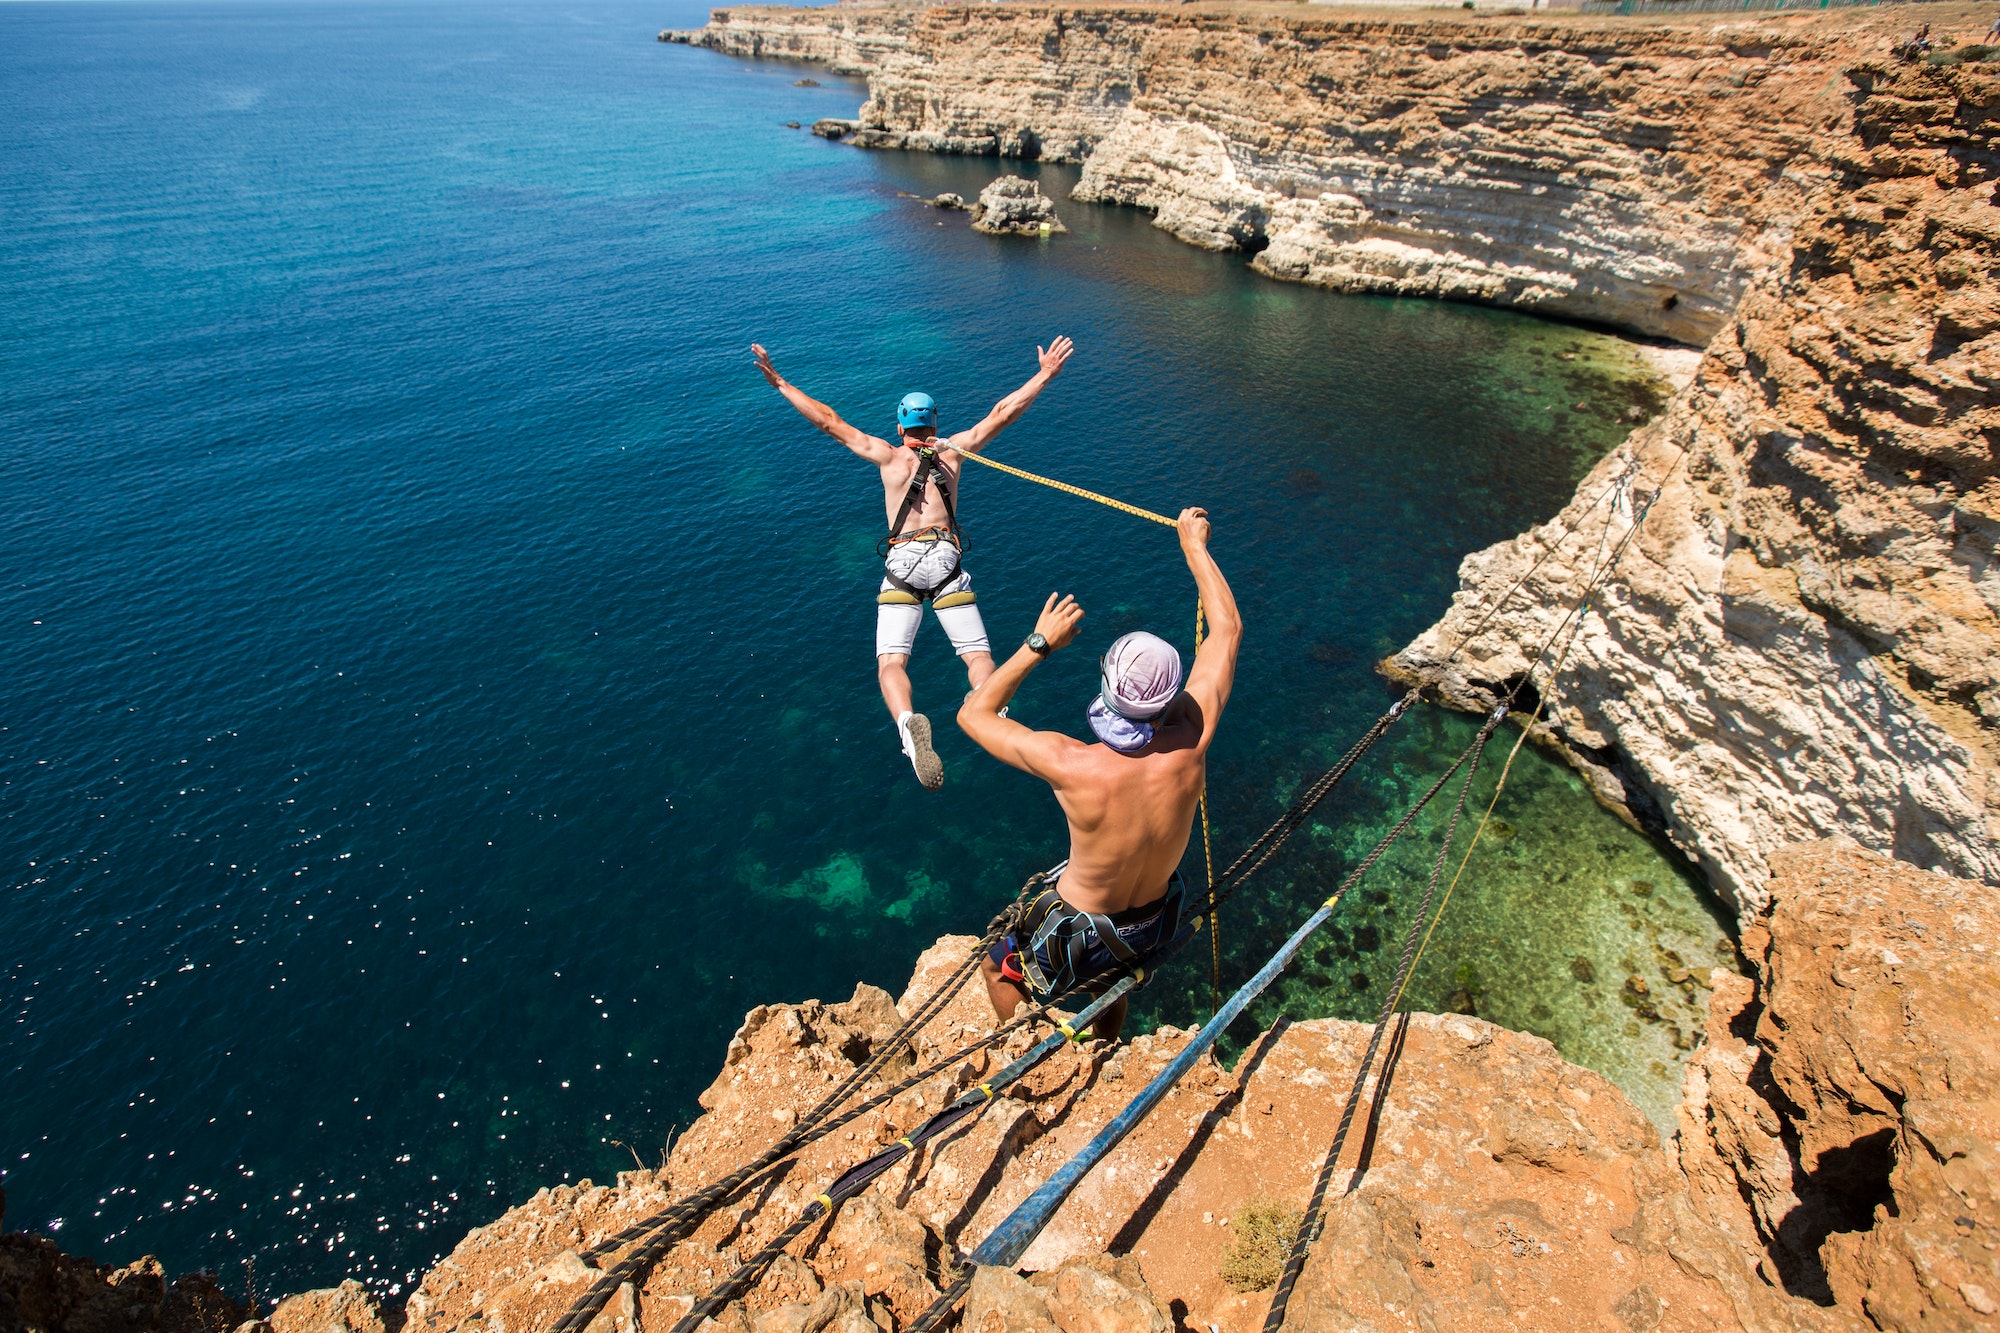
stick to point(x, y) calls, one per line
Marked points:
point(1801, 641)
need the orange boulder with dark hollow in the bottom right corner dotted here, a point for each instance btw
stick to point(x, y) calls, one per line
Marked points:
point(1843, 1122)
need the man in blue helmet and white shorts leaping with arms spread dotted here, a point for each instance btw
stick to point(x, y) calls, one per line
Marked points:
point(923, 551)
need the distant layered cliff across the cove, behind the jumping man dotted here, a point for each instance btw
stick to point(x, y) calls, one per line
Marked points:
point(1629, 173)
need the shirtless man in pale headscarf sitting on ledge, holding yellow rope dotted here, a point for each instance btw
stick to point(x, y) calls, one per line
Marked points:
point(1129, 800)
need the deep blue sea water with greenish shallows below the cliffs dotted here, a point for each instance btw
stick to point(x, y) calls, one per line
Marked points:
point(439, 674)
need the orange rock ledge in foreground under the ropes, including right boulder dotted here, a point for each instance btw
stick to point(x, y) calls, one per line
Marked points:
point(1835, 1164)
